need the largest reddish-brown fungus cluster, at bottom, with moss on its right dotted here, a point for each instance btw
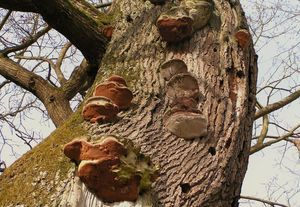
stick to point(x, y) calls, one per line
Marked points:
point(113, 170)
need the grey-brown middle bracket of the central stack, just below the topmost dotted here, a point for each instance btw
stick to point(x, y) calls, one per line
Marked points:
point(183, 85)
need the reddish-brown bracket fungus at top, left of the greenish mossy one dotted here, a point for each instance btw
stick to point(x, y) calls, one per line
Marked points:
point(175, 25)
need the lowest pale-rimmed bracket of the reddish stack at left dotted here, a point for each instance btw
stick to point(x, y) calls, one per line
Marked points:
point(97, 109)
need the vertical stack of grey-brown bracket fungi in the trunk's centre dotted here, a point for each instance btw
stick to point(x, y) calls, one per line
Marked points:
point(183, 119)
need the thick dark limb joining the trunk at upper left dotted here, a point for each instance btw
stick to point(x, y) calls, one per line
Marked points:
point(80, 22)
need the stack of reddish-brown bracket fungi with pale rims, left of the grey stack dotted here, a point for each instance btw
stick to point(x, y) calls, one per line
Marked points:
point(108, 98)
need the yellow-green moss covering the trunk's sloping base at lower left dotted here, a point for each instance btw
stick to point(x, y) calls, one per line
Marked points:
point(17, 182)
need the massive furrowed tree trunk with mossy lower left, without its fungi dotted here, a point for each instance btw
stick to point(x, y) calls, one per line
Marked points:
point(200, 172)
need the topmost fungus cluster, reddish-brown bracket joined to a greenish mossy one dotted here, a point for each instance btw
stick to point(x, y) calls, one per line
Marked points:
point(180, 22)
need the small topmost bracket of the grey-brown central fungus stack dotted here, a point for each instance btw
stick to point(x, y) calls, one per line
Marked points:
point(171, 68)
